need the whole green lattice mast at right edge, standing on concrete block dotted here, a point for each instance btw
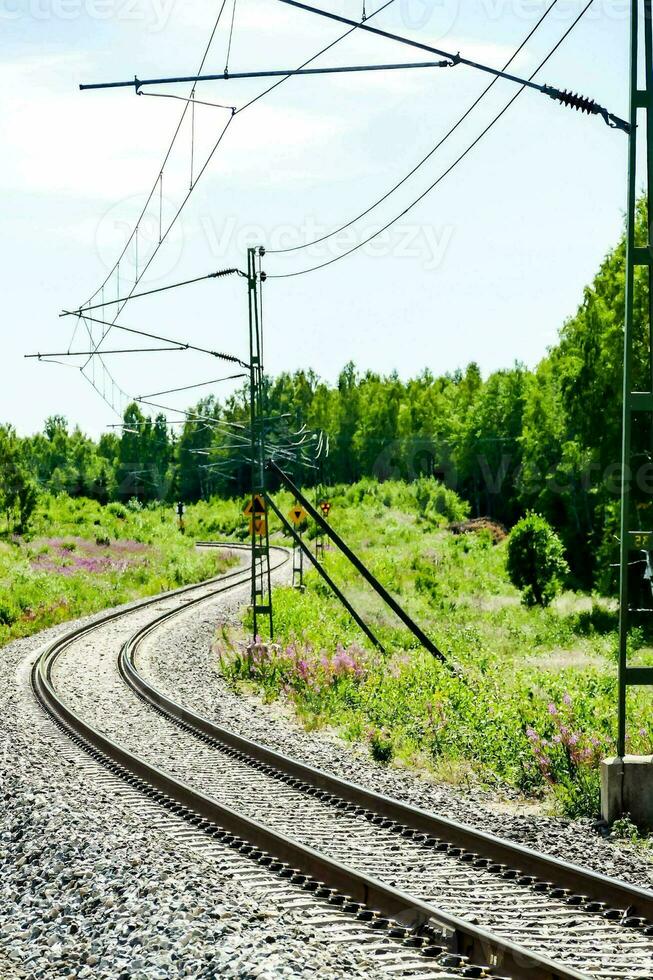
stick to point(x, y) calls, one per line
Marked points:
point(637, 404)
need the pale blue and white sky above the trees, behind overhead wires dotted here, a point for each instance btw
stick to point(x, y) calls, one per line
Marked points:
point(486, 267)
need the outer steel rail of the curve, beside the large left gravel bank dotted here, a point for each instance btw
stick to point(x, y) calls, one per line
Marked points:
point(292, 859)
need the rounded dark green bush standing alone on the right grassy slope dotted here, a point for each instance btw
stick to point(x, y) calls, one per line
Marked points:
point(536, 563)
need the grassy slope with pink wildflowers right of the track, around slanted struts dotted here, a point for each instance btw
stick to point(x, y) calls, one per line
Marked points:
point(527, 697)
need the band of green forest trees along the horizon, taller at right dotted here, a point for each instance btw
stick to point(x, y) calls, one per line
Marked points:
point(546, 439)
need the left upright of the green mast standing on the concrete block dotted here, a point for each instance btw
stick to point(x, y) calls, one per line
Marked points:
point(627, 381)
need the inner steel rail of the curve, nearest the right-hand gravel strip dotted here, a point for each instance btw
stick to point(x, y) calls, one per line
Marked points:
point(589, 884)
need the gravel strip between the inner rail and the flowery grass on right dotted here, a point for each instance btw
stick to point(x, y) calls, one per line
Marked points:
point(181, 661)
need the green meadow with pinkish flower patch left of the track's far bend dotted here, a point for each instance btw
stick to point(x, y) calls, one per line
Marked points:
point(80, 557)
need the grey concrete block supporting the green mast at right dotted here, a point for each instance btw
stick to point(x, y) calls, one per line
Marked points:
point(627, 787)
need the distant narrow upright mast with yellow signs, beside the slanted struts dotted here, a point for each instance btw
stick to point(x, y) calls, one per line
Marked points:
point(261, 593)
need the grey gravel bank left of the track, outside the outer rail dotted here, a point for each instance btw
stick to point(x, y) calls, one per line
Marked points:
point(91, 888)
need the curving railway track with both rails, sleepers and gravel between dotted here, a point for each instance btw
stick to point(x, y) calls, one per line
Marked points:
point(369, 857)
